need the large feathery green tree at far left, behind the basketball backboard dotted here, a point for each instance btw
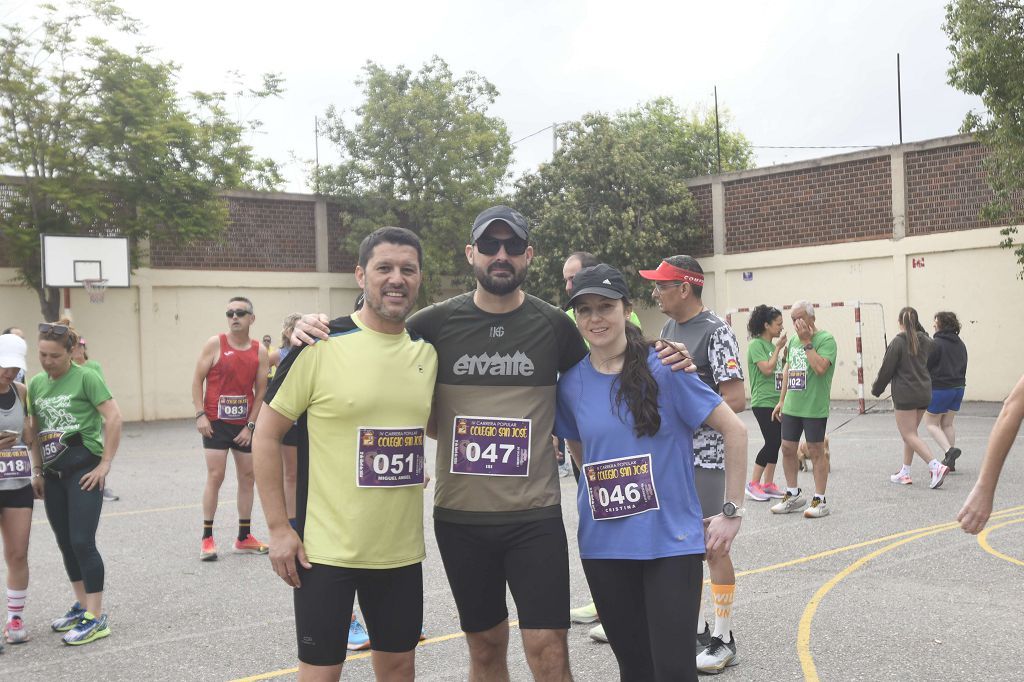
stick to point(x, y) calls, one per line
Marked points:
point(102, 144)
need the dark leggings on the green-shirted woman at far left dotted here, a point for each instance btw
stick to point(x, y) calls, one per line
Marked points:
point(74, 516)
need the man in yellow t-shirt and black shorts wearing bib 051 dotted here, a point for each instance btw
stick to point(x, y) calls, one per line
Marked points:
point(362, 399)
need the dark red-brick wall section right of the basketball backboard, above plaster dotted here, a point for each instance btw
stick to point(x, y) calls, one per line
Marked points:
point(262, 235)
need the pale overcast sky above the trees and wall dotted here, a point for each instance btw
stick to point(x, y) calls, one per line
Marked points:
point(793, 73)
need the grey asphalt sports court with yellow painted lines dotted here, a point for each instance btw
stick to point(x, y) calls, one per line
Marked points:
point(887, 587)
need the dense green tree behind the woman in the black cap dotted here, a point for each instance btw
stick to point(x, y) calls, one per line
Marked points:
point(617, 188)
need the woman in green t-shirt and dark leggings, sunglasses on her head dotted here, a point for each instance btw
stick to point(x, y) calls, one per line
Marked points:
point(77, 425)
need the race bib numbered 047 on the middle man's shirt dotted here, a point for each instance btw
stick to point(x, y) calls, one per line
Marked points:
point(491, 447)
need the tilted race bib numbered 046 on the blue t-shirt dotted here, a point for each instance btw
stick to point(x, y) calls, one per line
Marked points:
point(621, 488)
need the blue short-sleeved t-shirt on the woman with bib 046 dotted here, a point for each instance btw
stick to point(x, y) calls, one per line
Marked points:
point(587, 413)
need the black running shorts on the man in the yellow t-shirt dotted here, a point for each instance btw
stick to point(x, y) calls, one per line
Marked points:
point(392, 601)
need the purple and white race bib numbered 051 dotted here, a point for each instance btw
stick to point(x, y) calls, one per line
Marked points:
point(390, 457)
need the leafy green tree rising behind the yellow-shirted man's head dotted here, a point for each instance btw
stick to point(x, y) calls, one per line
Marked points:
point(423, 154)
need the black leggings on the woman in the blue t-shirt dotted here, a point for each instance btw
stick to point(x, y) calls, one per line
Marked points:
point(650, 613)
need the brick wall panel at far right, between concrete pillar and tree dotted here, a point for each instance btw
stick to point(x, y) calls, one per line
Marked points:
point(946, 189)
